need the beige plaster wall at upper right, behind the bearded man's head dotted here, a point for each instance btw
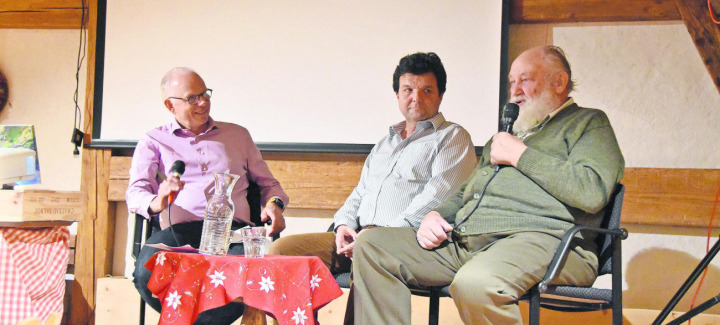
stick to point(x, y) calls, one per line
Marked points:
point(649, 79)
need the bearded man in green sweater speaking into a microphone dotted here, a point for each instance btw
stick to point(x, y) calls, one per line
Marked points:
point(494, 239)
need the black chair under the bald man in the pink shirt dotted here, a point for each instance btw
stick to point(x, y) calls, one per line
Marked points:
point(144, 228)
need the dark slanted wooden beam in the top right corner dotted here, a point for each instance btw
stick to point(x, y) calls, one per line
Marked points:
point(705, 34)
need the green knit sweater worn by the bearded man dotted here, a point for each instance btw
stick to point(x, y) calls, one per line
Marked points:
point(565, 177)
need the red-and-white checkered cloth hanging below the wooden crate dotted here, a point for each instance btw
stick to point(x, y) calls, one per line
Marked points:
point(33, 263)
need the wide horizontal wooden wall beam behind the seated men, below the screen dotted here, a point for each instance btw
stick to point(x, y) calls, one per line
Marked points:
point(654, 196)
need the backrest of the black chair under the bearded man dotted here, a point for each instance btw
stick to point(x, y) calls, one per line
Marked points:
point(611, 220)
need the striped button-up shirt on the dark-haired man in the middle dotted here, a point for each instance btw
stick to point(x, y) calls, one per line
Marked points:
point(404, 179)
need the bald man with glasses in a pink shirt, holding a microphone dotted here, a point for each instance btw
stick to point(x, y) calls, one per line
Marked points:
point(206, 146)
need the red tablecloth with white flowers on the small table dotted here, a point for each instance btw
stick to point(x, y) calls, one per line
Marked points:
point(289, 288)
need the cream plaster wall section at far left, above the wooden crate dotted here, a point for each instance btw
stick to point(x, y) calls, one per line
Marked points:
point(40, 67)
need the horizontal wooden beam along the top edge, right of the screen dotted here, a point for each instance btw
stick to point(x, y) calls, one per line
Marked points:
point(572, 11)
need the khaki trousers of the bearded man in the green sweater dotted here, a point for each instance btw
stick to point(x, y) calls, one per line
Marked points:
point(486, 273)
